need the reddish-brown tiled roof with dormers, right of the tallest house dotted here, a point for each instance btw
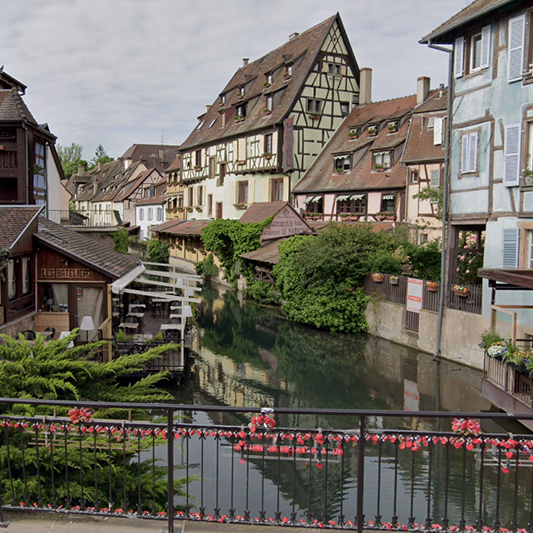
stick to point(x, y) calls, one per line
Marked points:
point(321, 176)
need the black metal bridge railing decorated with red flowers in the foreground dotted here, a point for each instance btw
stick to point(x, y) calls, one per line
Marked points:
point(377, 470)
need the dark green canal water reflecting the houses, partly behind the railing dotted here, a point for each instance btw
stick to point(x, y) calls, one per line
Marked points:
point(250, 356)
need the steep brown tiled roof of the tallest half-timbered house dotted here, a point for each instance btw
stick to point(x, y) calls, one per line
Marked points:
point(301, 51)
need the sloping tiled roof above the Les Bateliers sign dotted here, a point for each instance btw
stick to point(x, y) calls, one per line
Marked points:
point(85, 249)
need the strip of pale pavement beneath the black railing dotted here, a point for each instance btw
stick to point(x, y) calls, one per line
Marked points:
point(63, 523)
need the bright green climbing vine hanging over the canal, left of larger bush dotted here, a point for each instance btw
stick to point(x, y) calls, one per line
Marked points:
point(228, 239)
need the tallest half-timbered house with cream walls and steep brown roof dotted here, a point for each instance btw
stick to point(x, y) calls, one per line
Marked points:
point(269, 123)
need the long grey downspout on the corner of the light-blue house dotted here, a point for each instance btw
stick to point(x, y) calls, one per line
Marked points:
point(445, 196)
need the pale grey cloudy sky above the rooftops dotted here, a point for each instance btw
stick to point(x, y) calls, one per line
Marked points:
point(119, 72)
